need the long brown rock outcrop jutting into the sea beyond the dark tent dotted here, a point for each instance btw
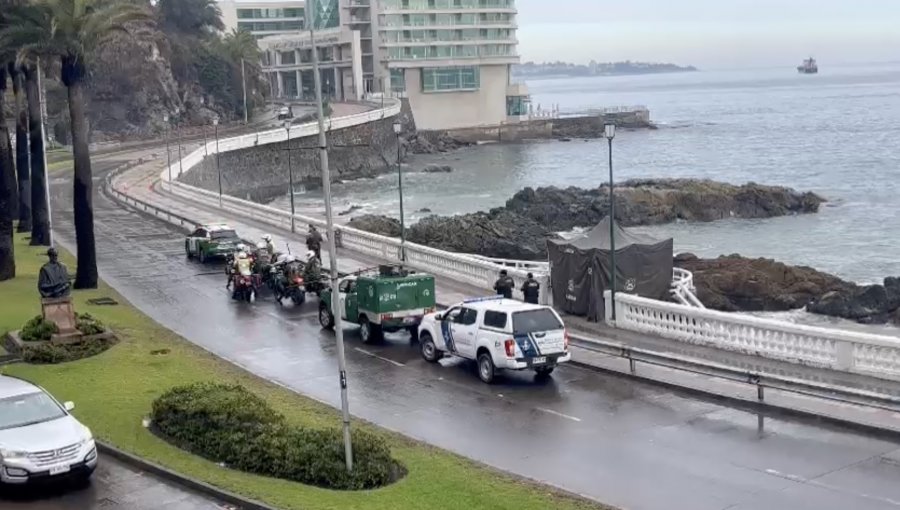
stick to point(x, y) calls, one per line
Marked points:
point(655, 201)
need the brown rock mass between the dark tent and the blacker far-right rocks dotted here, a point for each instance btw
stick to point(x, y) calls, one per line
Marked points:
point(733, 283)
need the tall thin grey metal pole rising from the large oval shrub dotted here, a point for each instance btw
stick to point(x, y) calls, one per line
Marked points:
point(332, 252)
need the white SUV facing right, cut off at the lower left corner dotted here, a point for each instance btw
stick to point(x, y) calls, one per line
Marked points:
point(39, 439)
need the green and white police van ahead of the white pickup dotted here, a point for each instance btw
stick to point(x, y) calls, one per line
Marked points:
point(387, 299)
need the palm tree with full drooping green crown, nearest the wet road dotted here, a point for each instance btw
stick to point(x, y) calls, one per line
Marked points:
point(74, 31)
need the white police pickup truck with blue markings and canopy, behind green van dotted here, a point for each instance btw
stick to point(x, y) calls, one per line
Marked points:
point(499, 334)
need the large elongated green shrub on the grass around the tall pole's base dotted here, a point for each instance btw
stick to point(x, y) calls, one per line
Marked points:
point(231, 425)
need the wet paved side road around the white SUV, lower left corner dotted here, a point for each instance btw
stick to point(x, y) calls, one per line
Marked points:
point(113, 486)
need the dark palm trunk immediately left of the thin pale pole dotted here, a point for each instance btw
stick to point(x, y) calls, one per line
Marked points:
point(40, 212)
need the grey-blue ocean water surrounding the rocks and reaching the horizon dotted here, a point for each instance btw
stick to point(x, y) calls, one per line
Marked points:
point(836, 133)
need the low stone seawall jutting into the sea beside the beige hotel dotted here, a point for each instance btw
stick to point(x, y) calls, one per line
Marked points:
point(588, 126)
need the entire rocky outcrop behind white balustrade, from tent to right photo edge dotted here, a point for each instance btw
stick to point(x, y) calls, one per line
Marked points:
point(734, 283)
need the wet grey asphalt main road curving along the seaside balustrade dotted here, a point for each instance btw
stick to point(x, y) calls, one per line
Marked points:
point(610, 438)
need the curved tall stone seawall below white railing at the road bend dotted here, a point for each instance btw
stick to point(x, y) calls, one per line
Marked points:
point(261, 173)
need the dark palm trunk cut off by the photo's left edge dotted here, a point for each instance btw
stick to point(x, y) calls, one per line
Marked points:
point(7, 192)
